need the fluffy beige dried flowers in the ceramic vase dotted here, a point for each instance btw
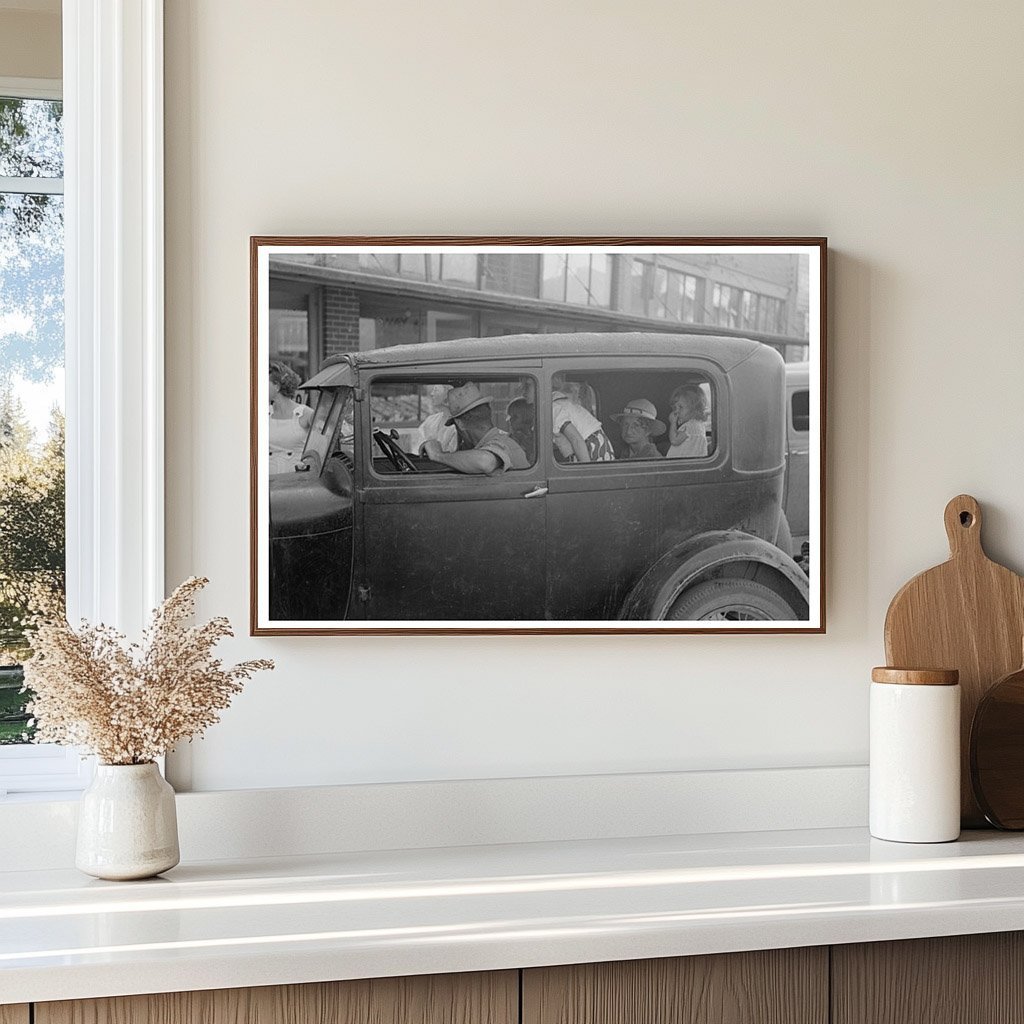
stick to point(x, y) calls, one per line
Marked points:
point(130, 704)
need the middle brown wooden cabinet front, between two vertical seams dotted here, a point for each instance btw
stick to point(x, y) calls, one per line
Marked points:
point(775, 987)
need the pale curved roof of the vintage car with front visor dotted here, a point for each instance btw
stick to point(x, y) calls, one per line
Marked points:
point(727, 352)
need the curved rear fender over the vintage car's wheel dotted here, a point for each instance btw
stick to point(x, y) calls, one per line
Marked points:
point(697, 559)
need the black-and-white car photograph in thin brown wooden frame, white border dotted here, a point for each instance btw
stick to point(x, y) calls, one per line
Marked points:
point(538, 436)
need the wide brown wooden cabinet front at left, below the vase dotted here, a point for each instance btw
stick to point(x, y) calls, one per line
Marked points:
point(452, 999)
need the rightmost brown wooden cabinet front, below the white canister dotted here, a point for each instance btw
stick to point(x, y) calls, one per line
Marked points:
point(964, 979)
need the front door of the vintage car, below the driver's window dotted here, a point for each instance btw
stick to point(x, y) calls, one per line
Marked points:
point(448, 546)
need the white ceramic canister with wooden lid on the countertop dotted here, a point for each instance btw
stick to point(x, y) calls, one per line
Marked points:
point(916, 755)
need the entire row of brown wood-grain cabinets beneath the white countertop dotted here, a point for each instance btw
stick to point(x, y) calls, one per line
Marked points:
point(974, 979)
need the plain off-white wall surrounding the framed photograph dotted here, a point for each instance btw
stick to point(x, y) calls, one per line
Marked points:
point(894, 130)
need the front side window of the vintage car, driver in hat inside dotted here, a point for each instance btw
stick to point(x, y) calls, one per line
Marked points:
point(429, 418)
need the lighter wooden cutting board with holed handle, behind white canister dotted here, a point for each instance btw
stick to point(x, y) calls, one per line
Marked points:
point(967, 614)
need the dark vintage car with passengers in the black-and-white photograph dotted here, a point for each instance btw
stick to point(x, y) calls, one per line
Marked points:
point(367, 530)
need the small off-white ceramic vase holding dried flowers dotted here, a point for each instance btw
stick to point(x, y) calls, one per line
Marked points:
point(127, 826)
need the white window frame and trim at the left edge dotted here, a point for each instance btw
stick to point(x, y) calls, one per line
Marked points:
point(114, 325)
